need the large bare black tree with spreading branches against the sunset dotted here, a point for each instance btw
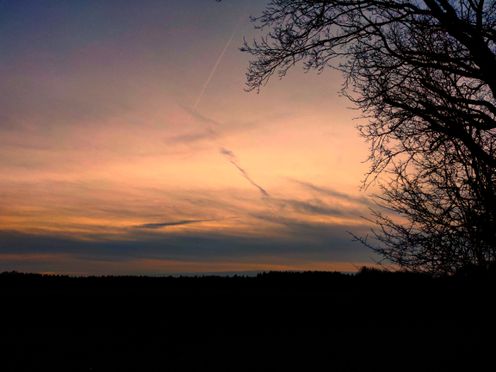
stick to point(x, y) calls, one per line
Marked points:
point(424, 75)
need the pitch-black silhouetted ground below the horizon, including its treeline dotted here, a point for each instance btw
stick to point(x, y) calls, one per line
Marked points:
point(275, 321)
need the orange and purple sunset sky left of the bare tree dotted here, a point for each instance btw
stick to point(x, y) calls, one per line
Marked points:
point(129, 145)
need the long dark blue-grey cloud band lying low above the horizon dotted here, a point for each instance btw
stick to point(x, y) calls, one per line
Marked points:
point(307, 240)
